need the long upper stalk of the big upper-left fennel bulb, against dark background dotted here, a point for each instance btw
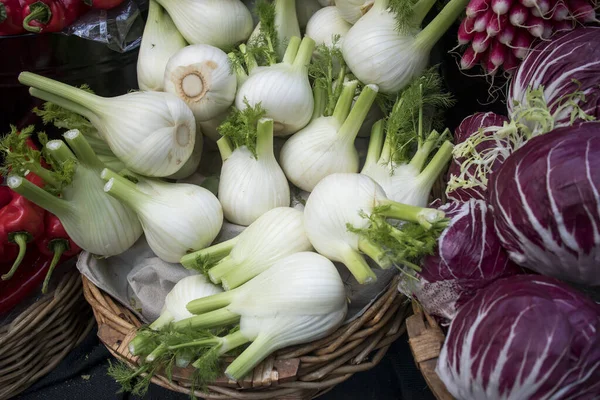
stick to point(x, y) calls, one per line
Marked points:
point(78, 96)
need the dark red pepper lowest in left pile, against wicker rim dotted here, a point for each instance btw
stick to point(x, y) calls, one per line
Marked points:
point(25, 281)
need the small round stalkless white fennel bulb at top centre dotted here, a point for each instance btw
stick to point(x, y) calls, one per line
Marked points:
point(327, 24)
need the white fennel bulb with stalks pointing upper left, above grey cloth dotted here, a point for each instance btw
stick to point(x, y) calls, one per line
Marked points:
point(177, 218)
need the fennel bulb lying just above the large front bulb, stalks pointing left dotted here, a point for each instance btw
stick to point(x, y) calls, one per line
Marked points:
point(275, 235)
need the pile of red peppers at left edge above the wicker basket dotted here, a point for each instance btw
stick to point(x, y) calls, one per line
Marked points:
point(32, 242)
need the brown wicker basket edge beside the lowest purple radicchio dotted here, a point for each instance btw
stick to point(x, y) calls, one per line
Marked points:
point(426, 340)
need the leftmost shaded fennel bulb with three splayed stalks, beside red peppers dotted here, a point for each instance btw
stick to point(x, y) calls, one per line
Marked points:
point(95, 221)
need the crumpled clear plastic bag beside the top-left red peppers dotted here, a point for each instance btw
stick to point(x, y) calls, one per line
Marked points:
point(120, 28)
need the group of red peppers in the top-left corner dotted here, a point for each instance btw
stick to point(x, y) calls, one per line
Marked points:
point(39, 16)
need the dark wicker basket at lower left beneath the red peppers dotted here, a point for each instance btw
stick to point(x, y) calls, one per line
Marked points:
point(42, 335)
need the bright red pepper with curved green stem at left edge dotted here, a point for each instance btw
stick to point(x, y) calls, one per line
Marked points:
point(21, 222)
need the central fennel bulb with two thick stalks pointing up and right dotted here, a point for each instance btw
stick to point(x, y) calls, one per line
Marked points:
point(326, 145)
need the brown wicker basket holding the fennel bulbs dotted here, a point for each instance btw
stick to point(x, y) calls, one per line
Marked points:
point(302, 372)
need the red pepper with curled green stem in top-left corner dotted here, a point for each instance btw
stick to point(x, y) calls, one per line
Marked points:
point(41, 16)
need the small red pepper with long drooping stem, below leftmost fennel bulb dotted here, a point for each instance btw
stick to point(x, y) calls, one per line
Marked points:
point(55, 243)
